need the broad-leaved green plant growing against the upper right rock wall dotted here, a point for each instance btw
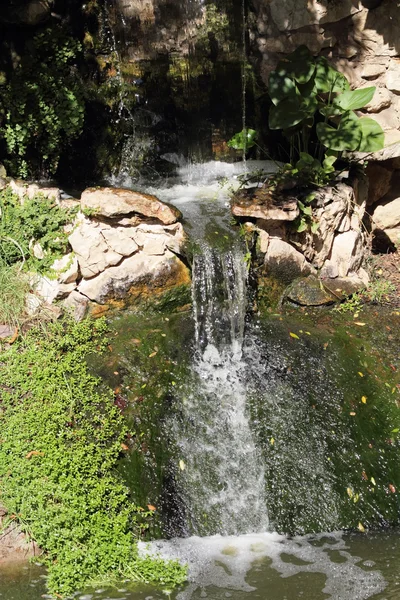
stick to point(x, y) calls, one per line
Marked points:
point(303, 89)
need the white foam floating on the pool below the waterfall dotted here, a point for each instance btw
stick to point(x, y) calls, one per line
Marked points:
point(225, 562)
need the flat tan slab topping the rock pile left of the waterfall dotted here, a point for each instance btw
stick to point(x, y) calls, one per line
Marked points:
point(114, 202)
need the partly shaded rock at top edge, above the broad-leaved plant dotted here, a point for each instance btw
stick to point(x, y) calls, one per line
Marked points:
point(294, 14)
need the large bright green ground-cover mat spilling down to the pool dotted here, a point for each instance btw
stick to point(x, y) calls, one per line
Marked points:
point(60, 442)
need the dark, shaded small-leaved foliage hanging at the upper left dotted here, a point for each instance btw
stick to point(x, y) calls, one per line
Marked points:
point(42, 105)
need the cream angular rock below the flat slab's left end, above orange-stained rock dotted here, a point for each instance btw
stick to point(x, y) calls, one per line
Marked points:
point(91, 248)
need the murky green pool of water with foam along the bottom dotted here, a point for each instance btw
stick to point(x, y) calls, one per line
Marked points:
point(266, 566)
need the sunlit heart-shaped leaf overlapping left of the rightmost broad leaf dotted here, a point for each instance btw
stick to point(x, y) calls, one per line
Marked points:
point(346, 137)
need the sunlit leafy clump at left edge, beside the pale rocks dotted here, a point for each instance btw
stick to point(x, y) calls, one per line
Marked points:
point(38, 219)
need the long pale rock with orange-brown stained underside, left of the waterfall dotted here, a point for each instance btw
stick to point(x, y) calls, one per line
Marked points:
point(133, 275)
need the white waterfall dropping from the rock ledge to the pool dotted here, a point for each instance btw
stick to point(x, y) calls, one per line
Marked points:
point(223, 486)
